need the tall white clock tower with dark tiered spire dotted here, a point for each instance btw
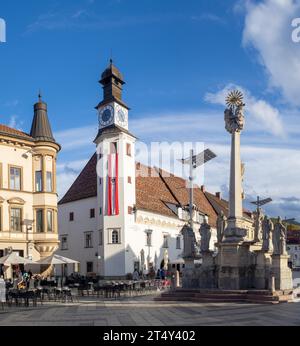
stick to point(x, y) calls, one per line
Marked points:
point(116, 176)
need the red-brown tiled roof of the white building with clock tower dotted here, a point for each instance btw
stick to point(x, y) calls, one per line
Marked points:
point(153, 190)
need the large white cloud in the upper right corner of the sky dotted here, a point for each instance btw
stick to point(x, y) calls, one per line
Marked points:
point(268, 30)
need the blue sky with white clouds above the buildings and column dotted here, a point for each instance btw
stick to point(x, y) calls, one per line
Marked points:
point(179, 59)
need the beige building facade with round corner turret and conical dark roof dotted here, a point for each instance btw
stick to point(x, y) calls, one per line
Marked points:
point(28, 198)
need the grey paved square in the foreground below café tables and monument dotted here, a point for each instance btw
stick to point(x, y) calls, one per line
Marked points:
point(144, 311)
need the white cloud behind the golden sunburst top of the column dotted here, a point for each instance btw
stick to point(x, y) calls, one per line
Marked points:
point(258, 109)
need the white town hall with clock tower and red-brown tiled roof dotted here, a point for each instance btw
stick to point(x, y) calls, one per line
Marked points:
point(119, 214)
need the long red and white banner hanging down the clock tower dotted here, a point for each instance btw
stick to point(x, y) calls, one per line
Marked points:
point(113, 185)
